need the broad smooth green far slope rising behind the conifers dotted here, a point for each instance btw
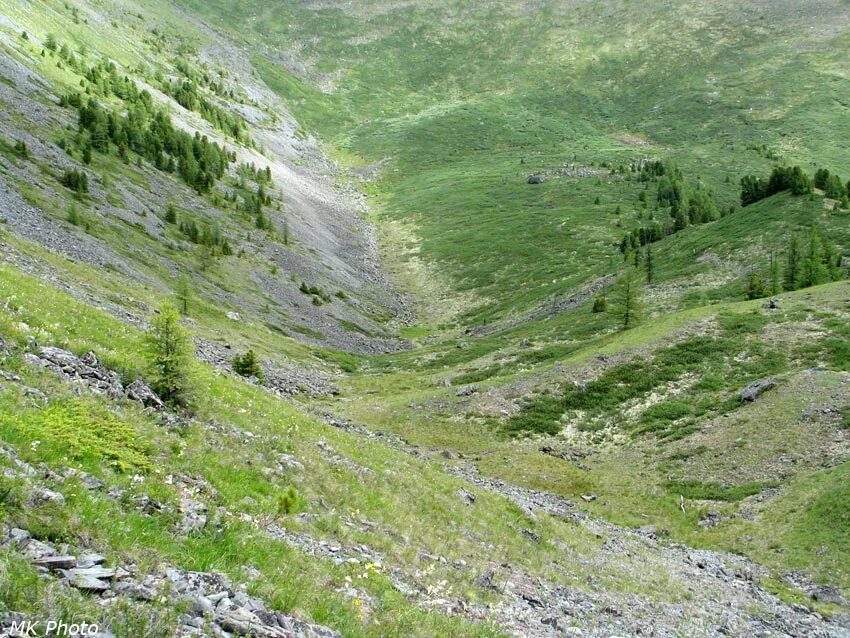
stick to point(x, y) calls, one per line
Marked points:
point(459, 97)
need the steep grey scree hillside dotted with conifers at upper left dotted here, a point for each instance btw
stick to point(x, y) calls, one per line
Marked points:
point(310, 228)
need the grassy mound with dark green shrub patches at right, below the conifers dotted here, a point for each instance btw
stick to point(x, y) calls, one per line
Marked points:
point(716, 454)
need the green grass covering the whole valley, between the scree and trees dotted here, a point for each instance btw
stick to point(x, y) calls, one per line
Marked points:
point(722, 89)
